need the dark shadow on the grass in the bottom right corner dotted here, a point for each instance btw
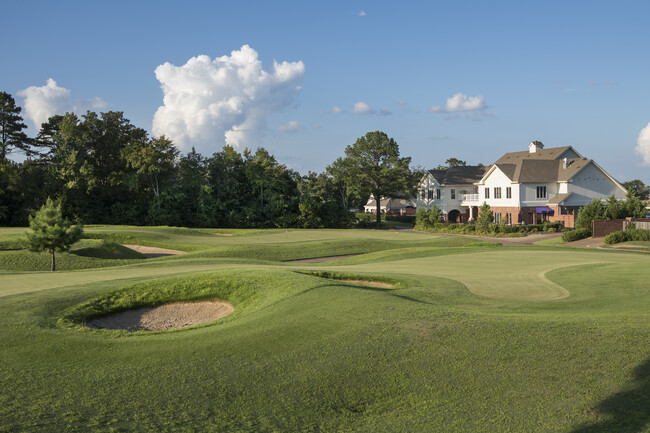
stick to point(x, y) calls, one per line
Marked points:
point(627, 411)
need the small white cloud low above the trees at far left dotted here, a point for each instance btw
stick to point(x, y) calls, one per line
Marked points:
point(42, 102)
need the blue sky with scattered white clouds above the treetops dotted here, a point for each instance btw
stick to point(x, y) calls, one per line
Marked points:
point(565, 73)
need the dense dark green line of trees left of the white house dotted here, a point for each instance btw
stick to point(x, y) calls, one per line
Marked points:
point(102, 169)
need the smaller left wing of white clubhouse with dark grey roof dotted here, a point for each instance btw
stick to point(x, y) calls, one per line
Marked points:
point(448, 189)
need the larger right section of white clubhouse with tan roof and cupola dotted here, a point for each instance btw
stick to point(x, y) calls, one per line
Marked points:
point(543, 185)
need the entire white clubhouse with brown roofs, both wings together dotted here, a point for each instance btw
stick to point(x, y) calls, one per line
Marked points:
point(521, 187)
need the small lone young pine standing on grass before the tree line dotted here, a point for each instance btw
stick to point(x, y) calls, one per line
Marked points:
point(51, 231)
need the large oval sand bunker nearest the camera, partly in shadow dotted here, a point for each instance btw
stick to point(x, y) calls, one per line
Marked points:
point(166, 316)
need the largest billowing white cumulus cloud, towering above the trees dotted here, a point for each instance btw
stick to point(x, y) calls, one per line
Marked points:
point(227, 100)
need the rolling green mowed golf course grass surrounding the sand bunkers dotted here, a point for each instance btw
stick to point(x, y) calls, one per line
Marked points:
point(474, 338)
